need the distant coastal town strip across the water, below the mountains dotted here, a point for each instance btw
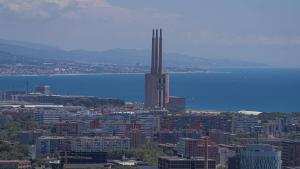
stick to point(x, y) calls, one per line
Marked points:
point(46, 68)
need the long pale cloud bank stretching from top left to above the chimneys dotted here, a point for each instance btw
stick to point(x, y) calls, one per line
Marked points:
point(82, 10)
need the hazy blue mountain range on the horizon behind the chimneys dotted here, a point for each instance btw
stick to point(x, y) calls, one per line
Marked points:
point(31, 53)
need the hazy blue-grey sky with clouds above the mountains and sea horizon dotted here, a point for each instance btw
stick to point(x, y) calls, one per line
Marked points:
point(265, 31)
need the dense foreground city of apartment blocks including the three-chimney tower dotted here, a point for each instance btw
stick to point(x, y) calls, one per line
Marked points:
point(43, 130)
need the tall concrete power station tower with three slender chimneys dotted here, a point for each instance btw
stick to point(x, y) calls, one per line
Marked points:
point(156, 82)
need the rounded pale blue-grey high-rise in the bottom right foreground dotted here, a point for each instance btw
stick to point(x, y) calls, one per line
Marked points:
point(260, 156)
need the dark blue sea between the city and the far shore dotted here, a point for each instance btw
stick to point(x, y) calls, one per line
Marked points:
point(269, 90)
